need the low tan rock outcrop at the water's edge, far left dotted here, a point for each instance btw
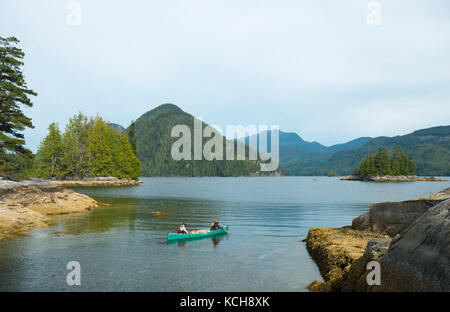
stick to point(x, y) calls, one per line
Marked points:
point(25, 205)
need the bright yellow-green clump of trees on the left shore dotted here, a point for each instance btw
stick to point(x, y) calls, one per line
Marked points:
point(89, 147)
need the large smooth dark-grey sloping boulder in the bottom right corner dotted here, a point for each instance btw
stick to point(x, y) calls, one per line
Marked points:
point(418, 259)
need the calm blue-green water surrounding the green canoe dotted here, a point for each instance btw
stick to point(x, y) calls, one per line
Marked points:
point(123, 247)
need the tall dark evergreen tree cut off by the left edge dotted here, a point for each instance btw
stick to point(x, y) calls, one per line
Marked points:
point(13, 93)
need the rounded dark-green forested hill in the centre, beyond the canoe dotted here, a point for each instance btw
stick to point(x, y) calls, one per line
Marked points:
point(154, 143)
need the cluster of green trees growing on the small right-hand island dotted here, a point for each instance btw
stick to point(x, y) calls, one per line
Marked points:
point(384, 163)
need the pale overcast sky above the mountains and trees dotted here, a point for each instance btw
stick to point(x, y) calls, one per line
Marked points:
point(317, 68)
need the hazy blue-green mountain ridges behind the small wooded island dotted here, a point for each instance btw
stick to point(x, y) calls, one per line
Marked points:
point(429, 148)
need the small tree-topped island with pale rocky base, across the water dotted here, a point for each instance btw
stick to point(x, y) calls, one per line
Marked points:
point(384, 166)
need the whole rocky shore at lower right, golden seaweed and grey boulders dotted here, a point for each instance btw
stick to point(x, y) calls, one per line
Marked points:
point(409, 239)
